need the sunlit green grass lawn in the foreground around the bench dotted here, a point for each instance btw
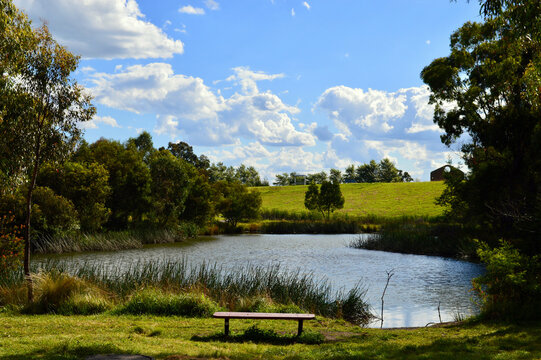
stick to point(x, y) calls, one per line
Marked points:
point(74, 337)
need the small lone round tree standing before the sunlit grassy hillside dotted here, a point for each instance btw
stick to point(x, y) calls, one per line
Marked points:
point(325, 200)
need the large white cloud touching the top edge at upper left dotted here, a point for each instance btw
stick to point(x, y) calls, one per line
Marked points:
point(102, 28)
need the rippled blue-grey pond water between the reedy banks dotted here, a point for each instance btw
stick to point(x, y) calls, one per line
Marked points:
point(419, 283)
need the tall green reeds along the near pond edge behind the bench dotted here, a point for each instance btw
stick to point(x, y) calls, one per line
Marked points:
point(229, 288)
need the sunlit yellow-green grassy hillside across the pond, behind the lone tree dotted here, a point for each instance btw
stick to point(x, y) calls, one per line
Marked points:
point(380, 199)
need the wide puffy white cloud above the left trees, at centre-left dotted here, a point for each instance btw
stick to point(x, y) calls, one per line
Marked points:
point(185, 106)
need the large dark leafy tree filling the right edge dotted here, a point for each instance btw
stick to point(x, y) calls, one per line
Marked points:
point(489, 87)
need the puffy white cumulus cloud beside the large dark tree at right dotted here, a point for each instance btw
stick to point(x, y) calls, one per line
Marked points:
point(373, 124)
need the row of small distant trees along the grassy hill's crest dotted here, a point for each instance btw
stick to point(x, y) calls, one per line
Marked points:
point(384, 171)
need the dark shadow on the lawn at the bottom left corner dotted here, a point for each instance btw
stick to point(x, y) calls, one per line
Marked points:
point(66, 351)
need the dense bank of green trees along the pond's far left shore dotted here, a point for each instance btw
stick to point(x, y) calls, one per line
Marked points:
point(109, 185)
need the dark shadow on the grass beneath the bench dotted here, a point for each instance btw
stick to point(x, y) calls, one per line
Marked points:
point(261, 336)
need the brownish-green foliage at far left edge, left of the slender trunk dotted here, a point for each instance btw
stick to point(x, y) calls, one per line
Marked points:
point(11, 244)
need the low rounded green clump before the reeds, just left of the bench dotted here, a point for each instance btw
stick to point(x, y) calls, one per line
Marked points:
point(156, 302)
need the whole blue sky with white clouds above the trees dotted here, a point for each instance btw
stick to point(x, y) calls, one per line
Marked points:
point(281, 85)
